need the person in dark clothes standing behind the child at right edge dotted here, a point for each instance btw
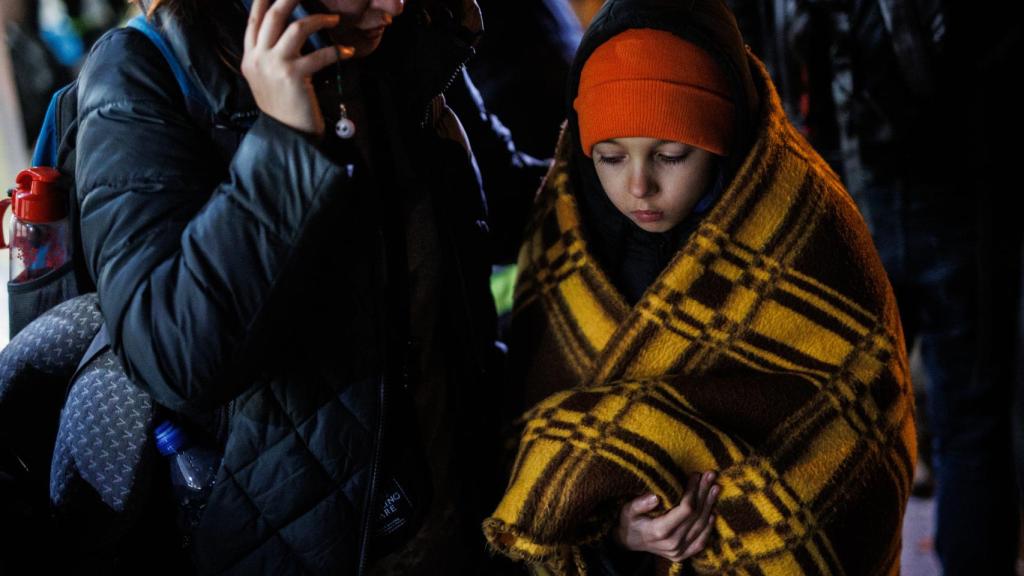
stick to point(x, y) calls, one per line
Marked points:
point(923, 94)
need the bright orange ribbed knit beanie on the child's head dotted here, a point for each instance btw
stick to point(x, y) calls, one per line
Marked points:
point(652, 84)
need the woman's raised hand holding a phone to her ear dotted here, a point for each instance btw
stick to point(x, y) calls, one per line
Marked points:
point(281, 78)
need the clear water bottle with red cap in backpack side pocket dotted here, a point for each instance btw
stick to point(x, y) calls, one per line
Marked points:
point(40, 236)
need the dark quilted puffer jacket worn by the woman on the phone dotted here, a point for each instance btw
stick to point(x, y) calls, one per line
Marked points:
point(240, 262)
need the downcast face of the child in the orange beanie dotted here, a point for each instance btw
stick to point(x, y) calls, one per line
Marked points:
point(654, 183)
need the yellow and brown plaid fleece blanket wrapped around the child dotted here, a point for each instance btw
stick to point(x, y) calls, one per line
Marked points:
point(770, 350)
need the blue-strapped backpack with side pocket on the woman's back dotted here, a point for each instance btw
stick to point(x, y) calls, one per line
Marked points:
point(56, 148)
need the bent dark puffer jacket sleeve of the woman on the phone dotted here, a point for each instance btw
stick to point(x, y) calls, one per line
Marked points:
point(186, 255)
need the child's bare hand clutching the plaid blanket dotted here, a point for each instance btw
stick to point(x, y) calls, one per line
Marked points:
point(677, 534)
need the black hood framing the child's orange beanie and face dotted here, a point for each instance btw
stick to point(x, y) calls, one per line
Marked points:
point(632, 257)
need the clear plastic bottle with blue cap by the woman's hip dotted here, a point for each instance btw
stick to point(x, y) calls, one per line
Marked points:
point(194, 470)
